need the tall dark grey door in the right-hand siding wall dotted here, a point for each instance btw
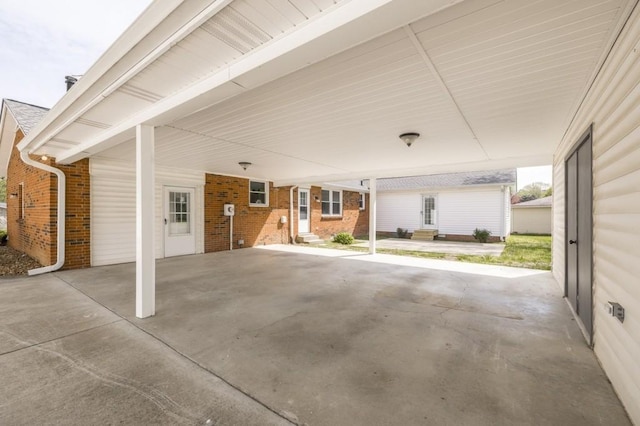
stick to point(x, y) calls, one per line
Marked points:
point(579, 220)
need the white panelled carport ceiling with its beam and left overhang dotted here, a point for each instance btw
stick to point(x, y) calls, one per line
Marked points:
point(315, 95)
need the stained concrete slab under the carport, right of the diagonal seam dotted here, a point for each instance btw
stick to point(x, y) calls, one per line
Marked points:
point(340, 341)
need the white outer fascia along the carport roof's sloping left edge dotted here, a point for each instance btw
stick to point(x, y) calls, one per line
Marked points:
point(153, 15)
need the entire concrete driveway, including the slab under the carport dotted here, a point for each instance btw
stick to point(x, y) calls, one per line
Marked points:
point(298, 335)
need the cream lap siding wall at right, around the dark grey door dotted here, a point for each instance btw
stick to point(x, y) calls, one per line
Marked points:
point(613, 106)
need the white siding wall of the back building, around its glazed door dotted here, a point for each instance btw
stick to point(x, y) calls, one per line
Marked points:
point(458, 212)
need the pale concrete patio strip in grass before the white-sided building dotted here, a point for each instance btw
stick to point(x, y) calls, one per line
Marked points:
point(450, 247)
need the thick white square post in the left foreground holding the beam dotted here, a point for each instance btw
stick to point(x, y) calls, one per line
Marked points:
point(145, 217)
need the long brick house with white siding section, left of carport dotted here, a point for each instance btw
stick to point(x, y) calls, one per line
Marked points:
point(101, 207)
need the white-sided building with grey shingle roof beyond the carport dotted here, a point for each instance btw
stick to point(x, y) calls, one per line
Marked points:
point(448, 206)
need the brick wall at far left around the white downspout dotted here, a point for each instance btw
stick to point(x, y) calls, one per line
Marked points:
point(36, 233)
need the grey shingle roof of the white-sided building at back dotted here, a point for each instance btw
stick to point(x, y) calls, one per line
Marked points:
point(492, 177)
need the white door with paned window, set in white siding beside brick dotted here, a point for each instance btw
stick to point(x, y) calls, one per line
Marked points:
point(179, 224)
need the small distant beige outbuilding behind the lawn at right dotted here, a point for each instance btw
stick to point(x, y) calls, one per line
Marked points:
point(532, 217)
